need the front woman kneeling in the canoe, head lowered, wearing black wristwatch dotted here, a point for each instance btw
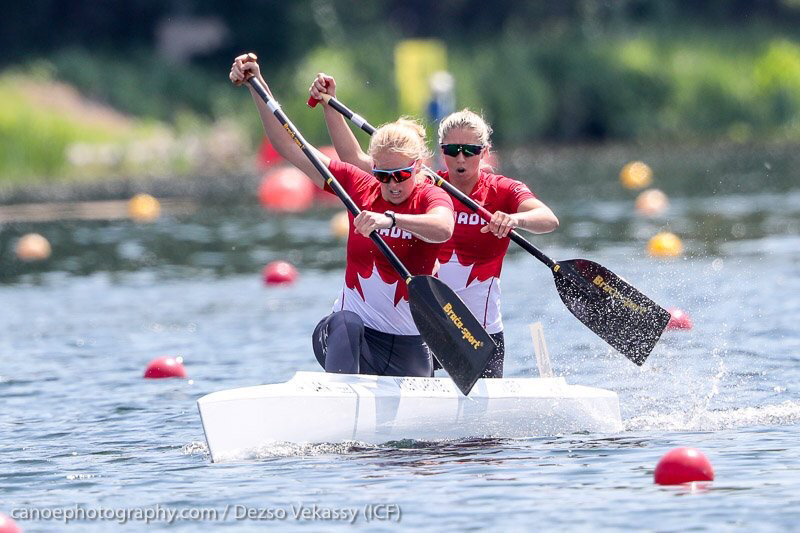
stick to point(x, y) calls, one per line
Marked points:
point(371, 330)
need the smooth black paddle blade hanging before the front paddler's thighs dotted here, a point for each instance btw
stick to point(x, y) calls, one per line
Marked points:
point(450, 330)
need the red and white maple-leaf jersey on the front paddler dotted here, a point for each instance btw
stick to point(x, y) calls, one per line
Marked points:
point(372, 287)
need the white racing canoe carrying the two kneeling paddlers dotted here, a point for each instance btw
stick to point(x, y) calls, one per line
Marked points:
point(315, 407)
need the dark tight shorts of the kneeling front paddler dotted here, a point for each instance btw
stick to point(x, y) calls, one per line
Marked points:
point(344, 345)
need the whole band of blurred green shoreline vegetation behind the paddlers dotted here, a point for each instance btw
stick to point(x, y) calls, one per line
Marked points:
point(102, 101)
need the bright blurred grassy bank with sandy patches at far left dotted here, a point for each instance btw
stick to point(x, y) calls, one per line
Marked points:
point(53, 127)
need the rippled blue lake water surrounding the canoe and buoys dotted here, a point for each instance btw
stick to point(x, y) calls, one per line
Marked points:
point(80, 428)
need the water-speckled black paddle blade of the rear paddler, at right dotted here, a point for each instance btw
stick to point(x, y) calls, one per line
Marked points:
point(618, 313)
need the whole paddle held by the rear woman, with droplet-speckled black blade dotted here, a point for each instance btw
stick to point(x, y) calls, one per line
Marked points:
point(608, 305)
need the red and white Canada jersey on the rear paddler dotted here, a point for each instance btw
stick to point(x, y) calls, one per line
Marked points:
point(471, 261)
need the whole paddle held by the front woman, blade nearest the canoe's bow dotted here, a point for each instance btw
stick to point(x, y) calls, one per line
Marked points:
point(447, 326)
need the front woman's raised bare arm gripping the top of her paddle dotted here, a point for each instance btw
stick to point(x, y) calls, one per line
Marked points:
point(281, 140)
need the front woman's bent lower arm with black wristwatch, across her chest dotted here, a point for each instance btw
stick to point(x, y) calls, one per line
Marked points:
point(434, 226)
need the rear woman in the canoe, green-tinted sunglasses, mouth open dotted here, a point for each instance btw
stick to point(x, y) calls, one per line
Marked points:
point(471, 261)
